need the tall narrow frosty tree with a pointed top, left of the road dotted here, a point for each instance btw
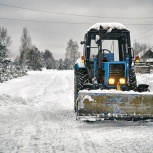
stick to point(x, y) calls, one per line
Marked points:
point(26, 43)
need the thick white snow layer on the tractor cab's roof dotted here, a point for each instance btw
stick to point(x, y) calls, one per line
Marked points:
point(105, 26)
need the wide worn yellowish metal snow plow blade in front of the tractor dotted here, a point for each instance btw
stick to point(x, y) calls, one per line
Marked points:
point(125, 105)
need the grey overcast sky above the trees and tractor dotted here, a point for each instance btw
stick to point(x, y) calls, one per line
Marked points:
point(54, 36)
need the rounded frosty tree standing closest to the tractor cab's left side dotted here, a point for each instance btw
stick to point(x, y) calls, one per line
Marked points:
point(72, 53)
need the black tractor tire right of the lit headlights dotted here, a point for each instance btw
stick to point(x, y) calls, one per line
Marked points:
point(132, 80)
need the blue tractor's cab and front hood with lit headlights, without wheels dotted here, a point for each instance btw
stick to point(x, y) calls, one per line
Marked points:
point(108, 55)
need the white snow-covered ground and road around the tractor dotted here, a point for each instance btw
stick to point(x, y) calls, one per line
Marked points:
point(36, 116)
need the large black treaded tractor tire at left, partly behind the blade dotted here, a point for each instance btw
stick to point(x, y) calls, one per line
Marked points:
point(80, 78)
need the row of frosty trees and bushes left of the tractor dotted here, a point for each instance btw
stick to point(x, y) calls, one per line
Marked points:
point(31, 58)
